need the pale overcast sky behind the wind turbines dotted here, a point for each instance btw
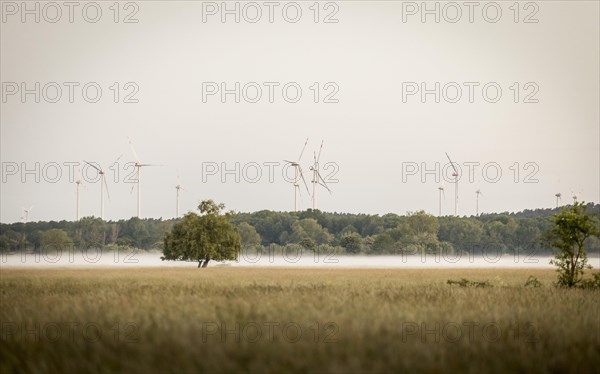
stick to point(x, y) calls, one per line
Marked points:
point(510, 93)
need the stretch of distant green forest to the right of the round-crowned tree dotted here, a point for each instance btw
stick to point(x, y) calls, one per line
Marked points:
point(412, 233)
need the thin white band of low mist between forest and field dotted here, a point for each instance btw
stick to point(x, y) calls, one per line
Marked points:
point(294, 260)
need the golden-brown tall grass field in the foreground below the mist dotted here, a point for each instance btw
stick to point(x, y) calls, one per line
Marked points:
point(298, 320)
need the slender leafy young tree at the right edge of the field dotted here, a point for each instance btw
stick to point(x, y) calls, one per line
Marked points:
point(572, 226)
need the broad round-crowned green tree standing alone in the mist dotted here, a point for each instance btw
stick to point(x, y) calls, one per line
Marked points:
point(205, 237)
